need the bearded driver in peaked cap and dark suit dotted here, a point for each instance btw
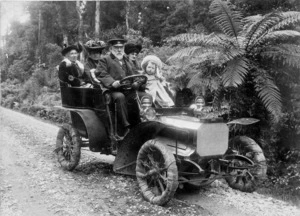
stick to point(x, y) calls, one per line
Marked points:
point(110, 70)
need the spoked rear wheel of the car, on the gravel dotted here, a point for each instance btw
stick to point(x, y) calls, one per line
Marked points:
point(68, 143)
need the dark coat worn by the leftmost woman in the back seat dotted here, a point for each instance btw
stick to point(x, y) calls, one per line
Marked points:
point(70, 74)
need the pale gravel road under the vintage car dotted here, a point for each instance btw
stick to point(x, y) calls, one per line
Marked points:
point(32, 182)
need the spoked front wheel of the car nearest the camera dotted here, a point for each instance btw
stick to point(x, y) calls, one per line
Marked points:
point(156, 173)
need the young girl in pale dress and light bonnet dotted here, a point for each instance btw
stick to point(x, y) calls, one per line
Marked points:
point(156, 85)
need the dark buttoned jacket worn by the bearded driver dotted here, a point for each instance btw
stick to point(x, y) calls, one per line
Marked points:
point(109, 70)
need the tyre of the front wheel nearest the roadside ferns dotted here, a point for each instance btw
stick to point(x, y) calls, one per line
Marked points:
point(249, 148)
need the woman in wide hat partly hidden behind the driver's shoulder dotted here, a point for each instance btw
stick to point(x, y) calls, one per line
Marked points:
point(95, 53)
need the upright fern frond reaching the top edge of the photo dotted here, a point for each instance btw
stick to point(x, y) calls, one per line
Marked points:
point(227, 19)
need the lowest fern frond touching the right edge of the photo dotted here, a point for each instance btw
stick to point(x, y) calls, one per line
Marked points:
point(288, 54)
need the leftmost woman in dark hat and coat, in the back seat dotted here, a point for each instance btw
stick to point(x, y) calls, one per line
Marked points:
point(70, 70)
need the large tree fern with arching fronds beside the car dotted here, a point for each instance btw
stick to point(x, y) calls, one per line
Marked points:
point(239, 51)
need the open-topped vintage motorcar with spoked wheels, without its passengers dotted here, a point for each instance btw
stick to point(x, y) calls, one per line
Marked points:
point(166, 149)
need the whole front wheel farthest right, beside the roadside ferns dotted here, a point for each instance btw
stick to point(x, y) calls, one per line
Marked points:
point(246, 179)
